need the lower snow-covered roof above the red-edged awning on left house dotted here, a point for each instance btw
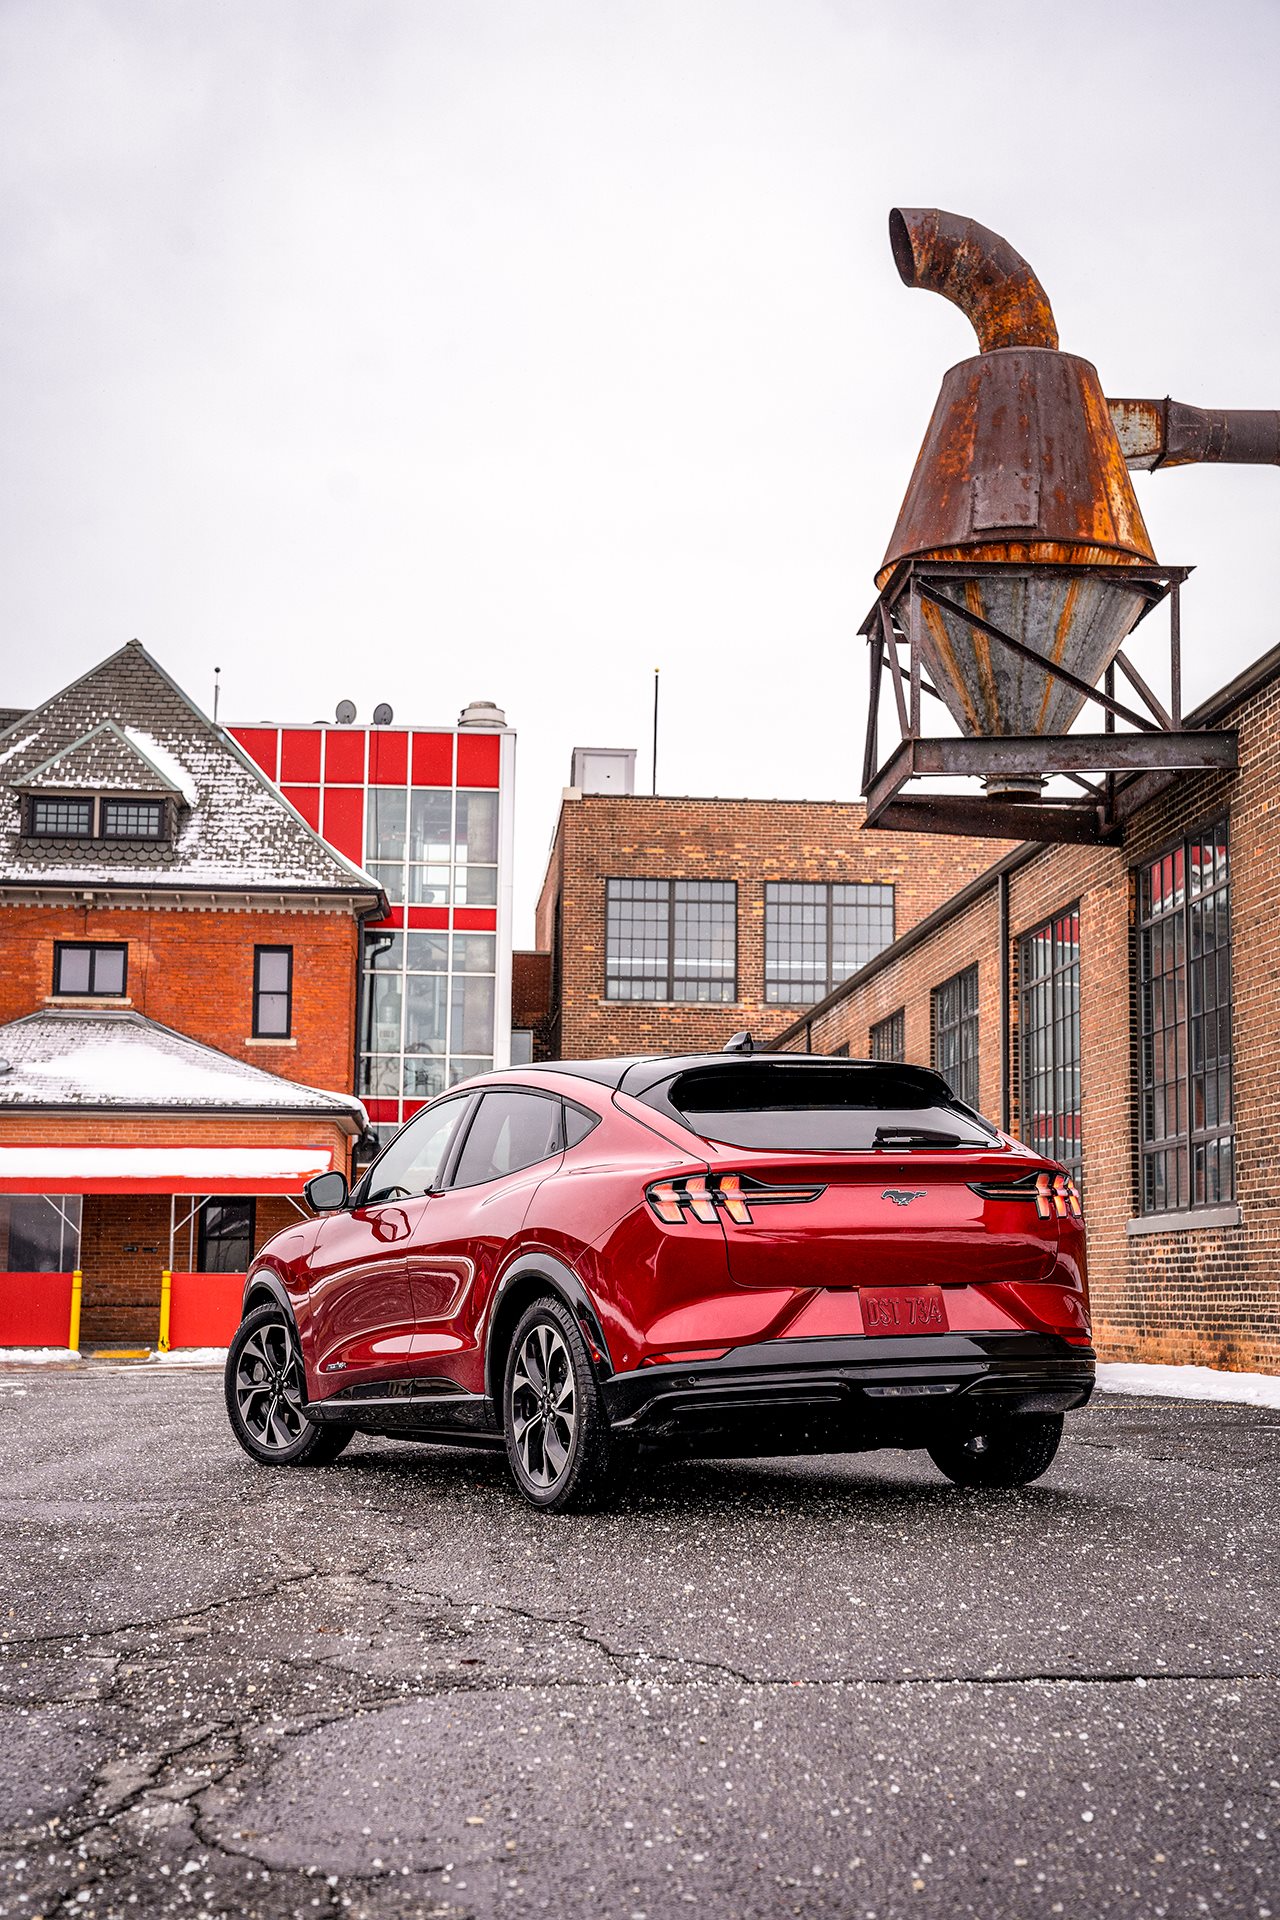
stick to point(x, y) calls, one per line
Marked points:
point(99, 1059)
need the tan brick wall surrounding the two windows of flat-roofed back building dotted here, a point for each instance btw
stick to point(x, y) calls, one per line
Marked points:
point(747, 842)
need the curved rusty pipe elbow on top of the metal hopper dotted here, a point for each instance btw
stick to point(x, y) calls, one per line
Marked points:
point(978, 272)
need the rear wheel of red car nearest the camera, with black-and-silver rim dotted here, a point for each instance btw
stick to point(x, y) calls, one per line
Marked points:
point(559, 1443)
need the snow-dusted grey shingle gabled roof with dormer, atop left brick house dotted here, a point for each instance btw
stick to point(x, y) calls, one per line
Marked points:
point(130, 729)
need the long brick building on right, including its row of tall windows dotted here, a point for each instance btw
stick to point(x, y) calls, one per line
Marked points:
point(1120, 1007)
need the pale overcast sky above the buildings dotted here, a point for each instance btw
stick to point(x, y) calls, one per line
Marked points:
point(427, 352)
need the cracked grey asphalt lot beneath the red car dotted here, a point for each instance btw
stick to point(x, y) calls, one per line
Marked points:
point(828, 1687)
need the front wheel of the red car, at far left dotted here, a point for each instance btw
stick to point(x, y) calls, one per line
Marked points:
point(266, 1393)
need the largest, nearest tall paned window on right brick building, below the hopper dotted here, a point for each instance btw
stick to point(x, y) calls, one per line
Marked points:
point(1185, 1009)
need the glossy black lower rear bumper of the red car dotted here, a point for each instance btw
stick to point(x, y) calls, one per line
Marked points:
point(853, 1391)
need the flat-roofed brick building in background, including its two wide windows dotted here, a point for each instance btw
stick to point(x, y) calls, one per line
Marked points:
point(676, 923)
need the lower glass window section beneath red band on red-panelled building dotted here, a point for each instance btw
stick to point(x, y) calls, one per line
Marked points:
point(429, 1011)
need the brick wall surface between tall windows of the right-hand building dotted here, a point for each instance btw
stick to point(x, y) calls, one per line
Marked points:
point(1206, 1295)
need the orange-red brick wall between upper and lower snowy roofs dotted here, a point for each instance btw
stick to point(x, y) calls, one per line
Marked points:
point(195, 971)
